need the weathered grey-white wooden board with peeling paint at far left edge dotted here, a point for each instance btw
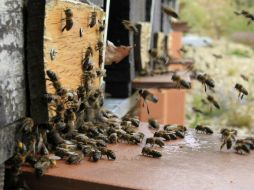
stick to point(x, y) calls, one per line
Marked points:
point(12, 84)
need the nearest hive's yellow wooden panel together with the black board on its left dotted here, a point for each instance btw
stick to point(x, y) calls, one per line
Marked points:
point(46, 20)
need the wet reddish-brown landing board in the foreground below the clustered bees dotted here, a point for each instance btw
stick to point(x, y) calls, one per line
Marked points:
point(192, 163)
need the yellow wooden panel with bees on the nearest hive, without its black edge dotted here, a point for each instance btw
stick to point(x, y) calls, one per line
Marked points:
point(69, 45)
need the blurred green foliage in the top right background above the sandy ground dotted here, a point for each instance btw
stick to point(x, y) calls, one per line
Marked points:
point(216, 18)
